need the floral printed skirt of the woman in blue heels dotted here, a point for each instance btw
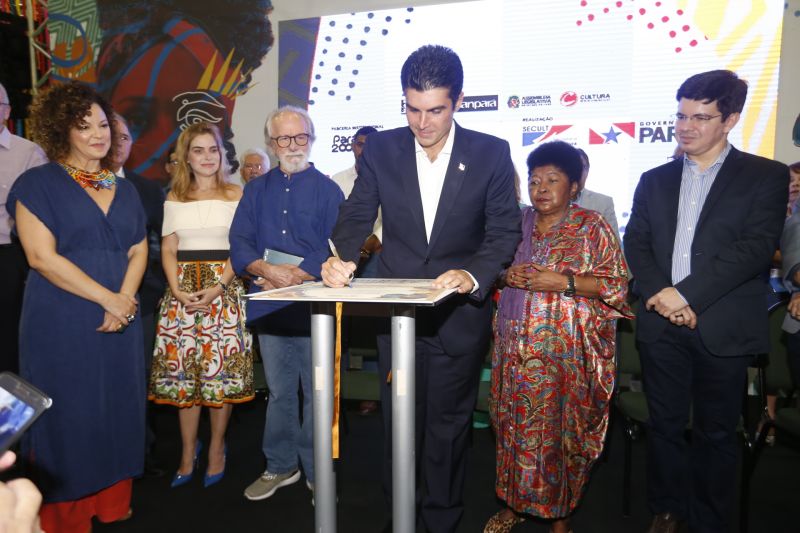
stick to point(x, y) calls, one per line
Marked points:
point(202, 358)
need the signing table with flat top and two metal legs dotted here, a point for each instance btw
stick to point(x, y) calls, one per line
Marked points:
point(400, 297)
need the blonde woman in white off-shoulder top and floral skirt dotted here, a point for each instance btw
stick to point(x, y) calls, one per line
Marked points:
point(203, 351)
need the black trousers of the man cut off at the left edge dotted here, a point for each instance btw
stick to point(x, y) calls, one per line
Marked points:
point(13, 272)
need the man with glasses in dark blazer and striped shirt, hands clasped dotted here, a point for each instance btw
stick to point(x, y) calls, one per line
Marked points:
point(700, 239)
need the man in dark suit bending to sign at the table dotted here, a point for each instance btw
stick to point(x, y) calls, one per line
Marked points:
point(449, 213)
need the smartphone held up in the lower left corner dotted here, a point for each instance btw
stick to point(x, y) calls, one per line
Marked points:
point(20, 405)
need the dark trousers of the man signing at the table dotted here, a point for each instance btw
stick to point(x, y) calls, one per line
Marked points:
point(446, 391)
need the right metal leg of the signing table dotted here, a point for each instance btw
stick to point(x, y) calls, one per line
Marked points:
point(403, 393)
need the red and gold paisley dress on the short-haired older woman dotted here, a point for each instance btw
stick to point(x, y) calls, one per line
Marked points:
point(553, 366)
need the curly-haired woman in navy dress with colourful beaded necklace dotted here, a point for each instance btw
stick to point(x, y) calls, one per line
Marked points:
point(83, 233)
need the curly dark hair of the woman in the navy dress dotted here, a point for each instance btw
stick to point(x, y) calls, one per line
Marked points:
point(58, 109)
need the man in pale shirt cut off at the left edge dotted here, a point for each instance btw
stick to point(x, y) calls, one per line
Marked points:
point(16, 156)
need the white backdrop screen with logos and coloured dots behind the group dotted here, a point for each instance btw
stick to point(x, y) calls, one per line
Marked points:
point(600, 75)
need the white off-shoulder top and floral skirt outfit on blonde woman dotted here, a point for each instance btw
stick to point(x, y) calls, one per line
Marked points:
point(202, 358)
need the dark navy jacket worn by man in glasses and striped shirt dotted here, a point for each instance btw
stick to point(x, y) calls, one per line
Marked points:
point(735, 238)
